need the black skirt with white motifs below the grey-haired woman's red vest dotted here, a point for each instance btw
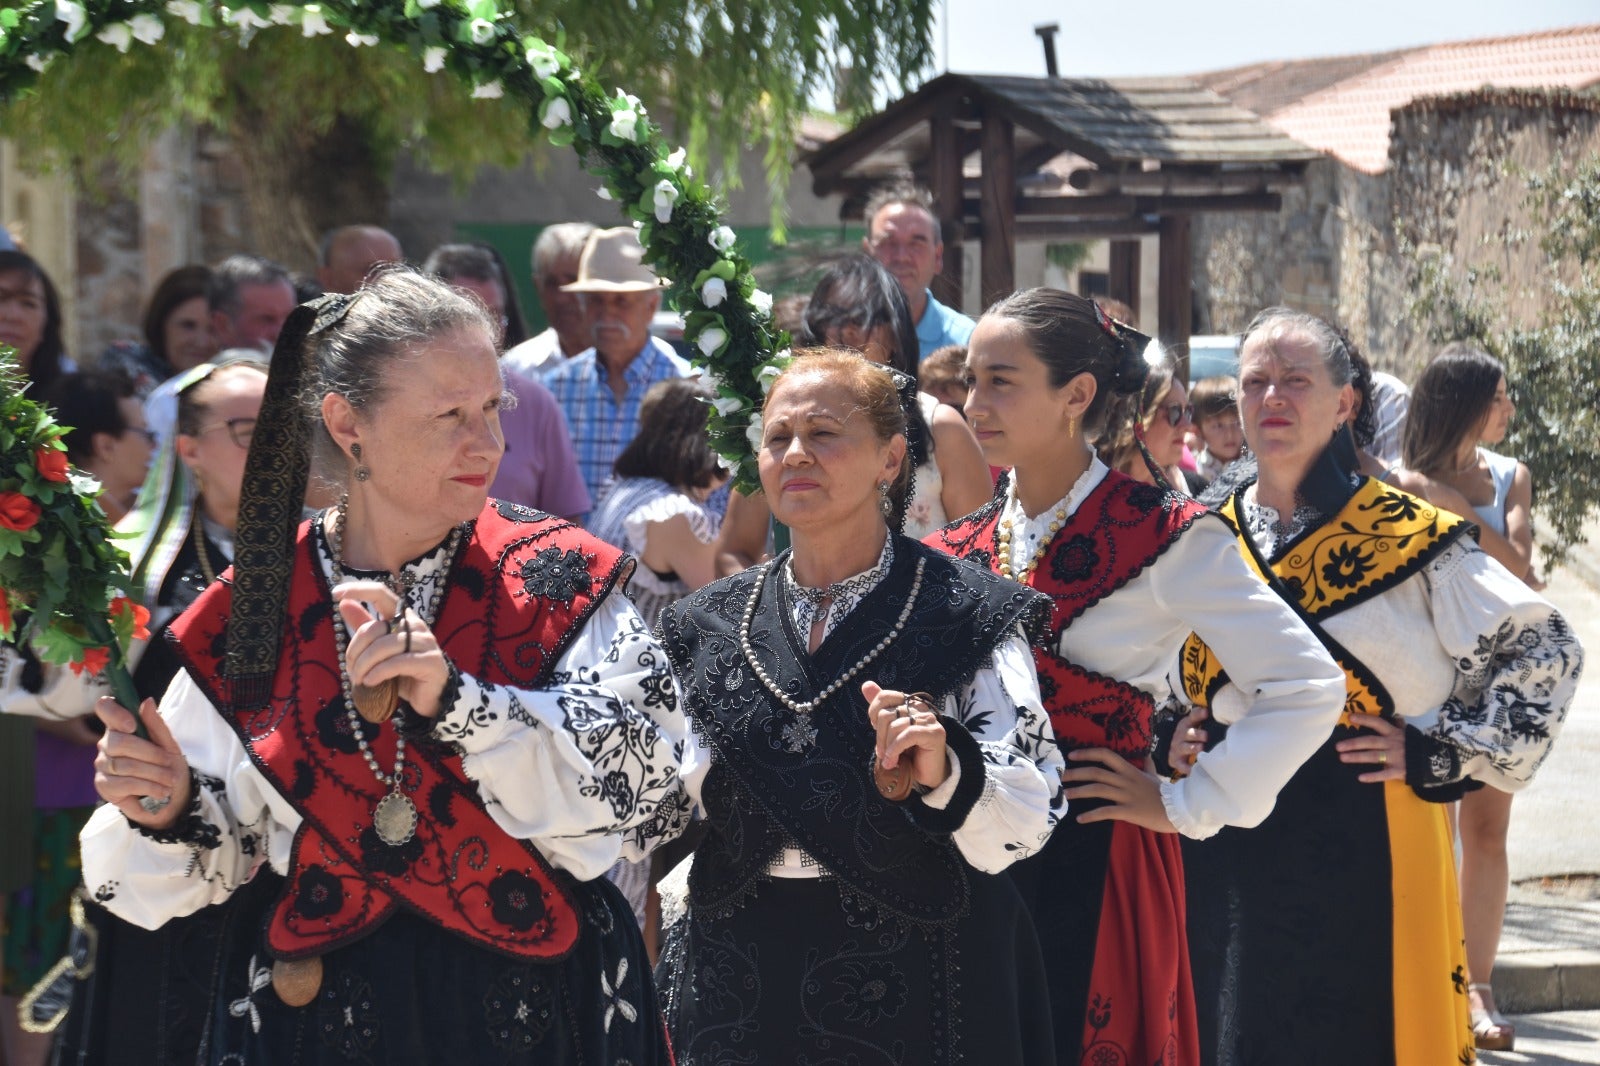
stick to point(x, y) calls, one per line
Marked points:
point(417, 995)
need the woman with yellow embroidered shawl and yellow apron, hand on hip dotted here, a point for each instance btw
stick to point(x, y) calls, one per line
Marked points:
point(1332, 934)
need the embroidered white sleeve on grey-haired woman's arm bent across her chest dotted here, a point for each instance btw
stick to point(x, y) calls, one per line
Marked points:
point(588, 769)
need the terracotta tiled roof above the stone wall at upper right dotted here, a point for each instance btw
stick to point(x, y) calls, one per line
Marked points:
point(1351, 119)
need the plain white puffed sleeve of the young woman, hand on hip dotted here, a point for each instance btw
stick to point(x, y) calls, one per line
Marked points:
point(1284, 694)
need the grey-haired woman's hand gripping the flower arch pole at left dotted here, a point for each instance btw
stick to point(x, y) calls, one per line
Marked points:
point(130, 769)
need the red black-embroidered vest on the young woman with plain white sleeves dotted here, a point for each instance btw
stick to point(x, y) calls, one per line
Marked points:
point(1119, 531)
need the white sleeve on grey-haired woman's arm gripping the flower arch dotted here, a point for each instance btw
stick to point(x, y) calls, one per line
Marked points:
point(234, 824)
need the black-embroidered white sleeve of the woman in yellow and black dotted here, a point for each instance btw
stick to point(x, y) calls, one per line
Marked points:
point(1518, 667)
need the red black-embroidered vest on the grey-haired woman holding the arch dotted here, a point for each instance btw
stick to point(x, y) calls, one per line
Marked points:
point(521, 587)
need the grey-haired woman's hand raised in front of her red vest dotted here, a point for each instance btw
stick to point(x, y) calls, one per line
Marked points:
point(388, 646)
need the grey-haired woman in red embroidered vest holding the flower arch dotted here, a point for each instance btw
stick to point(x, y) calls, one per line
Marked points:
point(436, 715)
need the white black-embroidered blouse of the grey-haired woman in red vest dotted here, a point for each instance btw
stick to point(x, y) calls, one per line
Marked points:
point(586, 769)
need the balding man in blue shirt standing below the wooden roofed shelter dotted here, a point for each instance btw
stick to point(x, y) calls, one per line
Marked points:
point(903, 234)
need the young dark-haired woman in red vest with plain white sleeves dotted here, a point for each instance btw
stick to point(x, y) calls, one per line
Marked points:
point(1132, 571)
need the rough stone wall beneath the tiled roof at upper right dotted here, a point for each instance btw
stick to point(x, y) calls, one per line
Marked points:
point(1454, 188)
